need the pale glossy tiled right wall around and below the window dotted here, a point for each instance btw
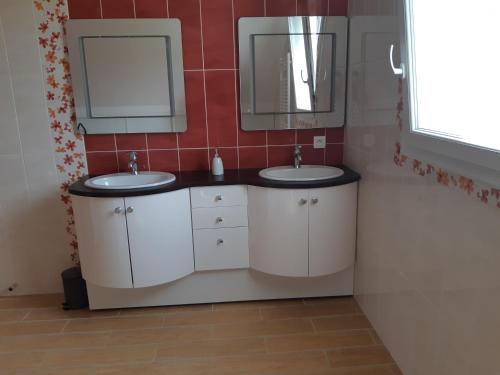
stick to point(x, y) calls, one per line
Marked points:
point(428, 263)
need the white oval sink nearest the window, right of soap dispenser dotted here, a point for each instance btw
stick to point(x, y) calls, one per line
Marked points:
point(304, 173)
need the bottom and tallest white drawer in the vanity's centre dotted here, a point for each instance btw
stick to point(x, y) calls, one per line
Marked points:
point(219, 249)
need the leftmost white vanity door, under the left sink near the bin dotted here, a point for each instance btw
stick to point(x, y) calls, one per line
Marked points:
point(102, 240)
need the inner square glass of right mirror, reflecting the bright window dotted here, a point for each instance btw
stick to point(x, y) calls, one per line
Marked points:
point(295, 88)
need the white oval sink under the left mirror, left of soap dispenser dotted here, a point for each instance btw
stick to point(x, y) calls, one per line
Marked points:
point(120, 181)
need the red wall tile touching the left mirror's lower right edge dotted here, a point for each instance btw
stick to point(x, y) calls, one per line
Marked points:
point(196, 134)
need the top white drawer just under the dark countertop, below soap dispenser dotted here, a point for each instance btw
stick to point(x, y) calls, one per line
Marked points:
point(219, 196)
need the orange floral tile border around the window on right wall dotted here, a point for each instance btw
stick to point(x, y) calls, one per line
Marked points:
point(485, 194)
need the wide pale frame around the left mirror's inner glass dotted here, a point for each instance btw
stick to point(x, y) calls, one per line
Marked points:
point(170, 28)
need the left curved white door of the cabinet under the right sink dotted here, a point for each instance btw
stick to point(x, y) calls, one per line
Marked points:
point(278, 231)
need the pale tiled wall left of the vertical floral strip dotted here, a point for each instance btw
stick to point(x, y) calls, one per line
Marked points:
point(33, 242)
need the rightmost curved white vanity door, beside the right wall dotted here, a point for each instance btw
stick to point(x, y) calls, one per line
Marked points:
point(332, 229)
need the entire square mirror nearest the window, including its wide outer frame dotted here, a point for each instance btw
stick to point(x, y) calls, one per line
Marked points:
point(292, 72)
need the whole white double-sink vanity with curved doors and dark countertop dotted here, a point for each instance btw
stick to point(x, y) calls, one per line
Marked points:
point(161, 239)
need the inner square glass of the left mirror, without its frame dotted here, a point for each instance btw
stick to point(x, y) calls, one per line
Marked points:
point(127, 77)
